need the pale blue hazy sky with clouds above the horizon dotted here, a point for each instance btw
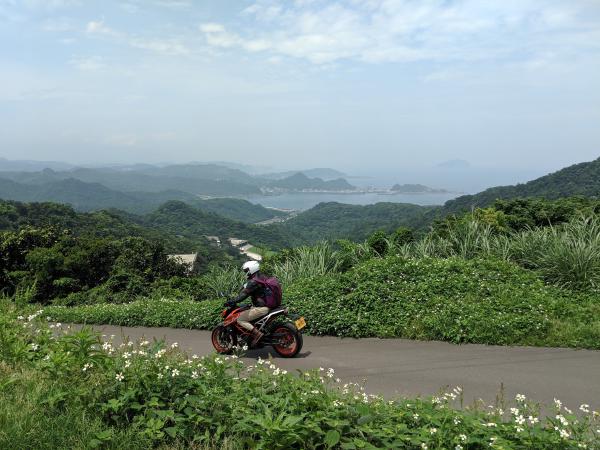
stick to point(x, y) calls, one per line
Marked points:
point(350, 84)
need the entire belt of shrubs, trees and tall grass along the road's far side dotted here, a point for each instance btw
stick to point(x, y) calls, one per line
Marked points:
point(525, 272)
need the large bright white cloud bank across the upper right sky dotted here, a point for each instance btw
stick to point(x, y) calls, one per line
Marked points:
point(382, 31)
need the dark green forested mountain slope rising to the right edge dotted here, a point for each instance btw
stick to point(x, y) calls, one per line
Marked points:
point(579, 179)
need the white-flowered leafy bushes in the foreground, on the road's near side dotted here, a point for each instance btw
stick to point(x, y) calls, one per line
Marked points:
point(160, 395)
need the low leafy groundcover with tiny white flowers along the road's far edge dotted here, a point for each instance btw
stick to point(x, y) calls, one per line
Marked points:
point(455, 300)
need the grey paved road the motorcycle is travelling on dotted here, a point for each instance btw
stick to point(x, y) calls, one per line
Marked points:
point(401, 367)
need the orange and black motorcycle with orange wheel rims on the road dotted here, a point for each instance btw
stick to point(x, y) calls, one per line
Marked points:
point(281, 330)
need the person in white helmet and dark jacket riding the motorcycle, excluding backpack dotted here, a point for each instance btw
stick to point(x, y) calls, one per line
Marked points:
point(256, 292)
